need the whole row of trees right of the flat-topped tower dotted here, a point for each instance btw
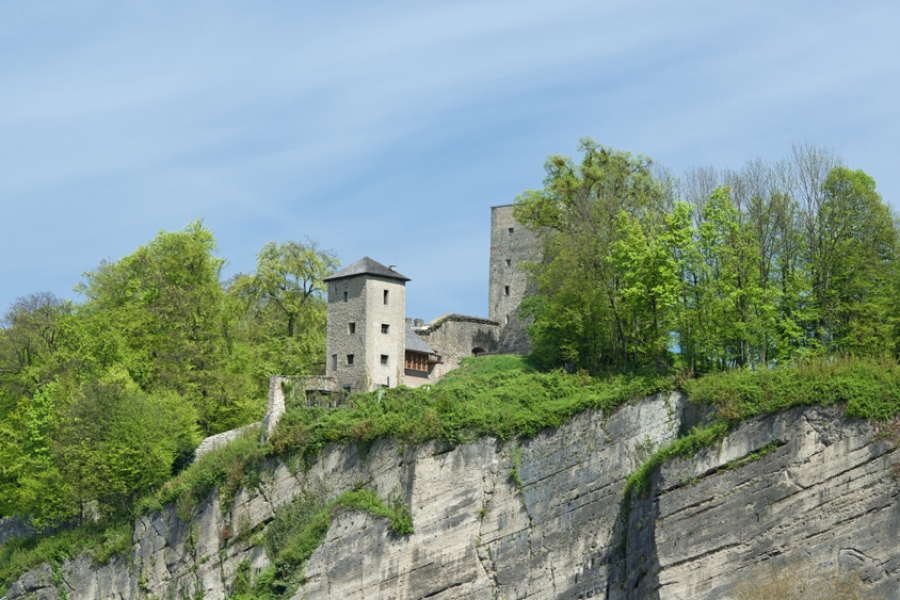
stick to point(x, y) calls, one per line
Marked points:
point(719, 269)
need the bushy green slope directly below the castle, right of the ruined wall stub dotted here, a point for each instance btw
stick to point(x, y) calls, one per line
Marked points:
point(497, 396)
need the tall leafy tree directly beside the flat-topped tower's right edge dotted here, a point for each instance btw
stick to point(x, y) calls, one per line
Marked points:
point(580, 314)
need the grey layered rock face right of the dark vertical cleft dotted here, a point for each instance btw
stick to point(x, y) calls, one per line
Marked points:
point(827, 494)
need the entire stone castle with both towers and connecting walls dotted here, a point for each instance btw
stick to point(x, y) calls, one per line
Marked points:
point(371, 344)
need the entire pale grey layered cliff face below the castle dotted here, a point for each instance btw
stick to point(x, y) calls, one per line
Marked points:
point(827, 493)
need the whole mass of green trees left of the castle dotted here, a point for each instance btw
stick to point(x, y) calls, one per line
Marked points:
point(102, 400)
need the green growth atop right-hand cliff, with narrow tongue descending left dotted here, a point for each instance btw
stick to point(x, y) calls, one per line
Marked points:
point(867, 388)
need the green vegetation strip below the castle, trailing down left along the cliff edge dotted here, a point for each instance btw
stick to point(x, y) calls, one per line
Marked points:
point(497, 396)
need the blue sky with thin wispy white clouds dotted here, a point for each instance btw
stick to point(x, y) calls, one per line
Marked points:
point(389, 129)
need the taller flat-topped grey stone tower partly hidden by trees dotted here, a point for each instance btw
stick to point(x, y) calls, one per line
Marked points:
point(511, 244)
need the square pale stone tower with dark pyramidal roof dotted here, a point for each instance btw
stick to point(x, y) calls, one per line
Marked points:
point(366, 326)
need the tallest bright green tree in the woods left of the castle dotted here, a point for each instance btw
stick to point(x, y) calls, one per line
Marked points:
point(170, 325)
